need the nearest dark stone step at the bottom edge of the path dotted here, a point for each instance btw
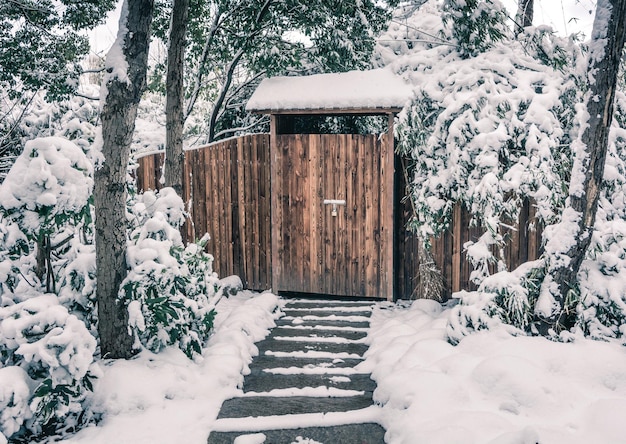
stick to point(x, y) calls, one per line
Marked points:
point(369, 433)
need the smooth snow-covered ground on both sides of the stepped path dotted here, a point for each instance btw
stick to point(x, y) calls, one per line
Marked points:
point(491, 388)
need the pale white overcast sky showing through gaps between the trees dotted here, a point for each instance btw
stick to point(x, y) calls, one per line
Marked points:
point(565, 16)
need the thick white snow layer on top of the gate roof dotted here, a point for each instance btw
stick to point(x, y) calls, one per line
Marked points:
point(374, 89)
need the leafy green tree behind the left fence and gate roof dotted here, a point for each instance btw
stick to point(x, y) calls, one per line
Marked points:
point(232, 43)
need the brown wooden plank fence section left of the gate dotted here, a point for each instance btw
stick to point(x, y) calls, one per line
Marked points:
point(229, 185)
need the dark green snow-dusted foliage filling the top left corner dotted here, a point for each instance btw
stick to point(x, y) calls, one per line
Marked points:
point(41, 44)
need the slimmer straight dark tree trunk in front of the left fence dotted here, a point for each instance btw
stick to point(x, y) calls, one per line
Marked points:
point(174, 112)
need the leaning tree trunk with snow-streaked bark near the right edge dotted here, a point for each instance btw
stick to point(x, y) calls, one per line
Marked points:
point(587, 173)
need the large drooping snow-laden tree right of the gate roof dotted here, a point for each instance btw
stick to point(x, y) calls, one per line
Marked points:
point(488, 126)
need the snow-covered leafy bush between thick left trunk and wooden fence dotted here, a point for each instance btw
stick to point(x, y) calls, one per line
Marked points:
point(169, 287)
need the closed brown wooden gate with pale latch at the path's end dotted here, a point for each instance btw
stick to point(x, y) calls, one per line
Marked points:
point(329, 221)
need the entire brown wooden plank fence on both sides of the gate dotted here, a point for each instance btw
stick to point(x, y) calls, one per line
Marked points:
point(229, 184)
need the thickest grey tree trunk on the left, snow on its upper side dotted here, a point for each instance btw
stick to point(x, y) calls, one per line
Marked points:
point(121, 98)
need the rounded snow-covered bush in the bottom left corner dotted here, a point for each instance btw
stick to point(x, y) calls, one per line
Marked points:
point(53, 351)
